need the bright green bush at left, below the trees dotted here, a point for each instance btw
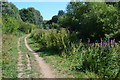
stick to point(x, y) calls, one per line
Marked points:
point(11, 25)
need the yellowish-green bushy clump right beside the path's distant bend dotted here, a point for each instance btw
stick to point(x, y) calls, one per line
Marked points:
point(56, 40)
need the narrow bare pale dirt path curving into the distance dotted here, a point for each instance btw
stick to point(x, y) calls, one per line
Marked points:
point(44, 68)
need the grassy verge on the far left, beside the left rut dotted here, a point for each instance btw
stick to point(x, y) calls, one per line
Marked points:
point(9, 56)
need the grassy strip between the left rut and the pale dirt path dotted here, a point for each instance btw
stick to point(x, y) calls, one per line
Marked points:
point(35, 72)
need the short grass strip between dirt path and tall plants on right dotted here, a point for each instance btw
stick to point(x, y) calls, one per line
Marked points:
point(61, 65)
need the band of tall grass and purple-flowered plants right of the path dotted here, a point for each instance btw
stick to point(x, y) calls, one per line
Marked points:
point(100, 58)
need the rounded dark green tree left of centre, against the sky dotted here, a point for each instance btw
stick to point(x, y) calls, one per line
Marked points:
point(32, 16)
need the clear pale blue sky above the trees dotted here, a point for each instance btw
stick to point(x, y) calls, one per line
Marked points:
point(47, 9)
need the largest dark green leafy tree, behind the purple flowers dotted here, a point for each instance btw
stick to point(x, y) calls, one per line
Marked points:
point(91, 20)
